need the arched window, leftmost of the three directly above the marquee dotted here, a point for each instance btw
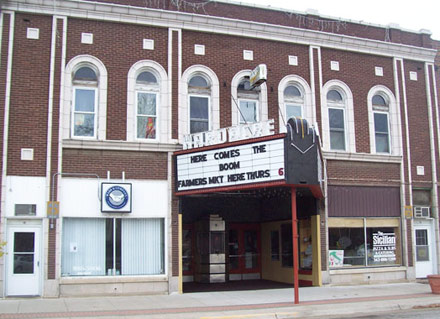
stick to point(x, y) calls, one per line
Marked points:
point(199, 93)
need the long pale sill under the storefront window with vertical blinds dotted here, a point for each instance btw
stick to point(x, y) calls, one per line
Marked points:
point(112, 279)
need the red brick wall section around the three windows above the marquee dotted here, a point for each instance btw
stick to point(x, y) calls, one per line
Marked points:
point(224, 55)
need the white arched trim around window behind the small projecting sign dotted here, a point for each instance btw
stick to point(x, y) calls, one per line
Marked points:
point(262, 101)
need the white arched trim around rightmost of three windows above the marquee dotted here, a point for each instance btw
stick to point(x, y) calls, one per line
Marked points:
point(307, 107)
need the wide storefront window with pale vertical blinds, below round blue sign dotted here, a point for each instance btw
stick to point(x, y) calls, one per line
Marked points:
point(112, 246)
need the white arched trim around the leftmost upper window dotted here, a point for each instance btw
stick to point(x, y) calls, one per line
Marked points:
point(101, 106)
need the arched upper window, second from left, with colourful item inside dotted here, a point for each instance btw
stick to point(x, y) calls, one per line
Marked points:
point(147, 96)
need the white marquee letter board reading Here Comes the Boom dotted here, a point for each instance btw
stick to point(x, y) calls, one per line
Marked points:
point(230, 166)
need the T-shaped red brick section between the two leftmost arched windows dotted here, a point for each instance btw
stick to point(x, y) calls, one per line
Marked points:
point(118, 46)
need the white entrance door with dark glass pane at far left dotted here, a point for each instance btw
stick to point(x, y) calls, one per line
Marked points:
point(23, 268)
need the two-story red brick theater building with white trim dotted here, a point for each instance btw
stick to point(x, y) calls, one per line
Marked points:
point(98, 98)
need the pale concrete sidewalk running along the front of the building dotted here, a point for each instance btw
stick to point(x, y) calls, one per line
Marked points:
point(274, 303)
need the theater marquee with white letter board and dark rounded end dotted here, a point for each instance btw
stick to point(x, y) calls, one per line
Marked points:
point(291, 159)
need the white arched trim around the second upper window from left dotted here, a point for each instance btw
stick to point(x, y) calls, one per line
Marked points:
point(163, 108)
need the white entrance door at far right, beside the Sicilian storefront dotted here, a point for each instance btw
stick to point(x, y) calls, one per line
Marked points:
point(424, 249)
